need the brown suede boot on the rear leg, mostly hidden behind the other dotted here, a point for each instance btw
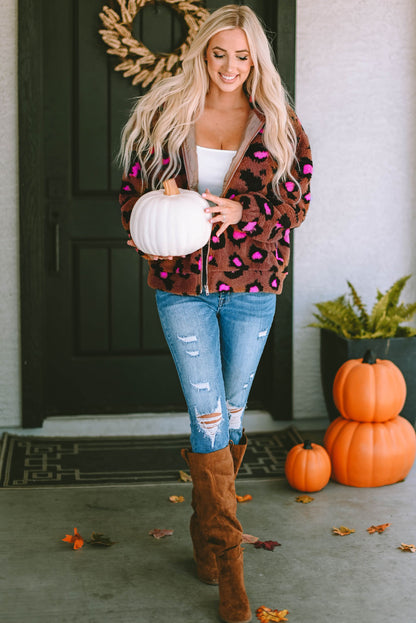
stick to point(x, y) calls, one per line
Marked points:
point(206, 561)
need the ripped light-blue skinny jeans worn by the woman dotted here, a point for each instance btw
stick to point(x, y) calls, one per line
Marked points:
point(216, 341)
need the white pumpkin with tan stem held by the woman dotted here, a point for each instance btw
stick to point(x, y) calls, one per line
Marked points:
point(170, 222)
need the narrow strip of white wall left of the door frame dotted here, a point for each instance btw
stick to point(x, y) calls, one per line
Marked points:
point(9, 224)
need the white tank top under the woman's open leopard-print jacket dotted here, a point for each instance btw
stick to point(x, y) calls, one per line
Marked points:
point(213, 165)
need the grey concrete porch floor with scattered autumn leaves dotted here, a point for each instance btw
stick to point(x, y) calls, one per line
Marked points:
point(318, 577)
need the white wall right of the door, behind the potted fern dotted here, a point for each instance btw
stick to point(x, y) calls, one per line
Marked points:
point(356, 96)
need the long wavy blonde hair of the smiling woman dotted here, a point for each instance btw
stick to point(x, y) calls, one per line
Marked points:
point(161, 119)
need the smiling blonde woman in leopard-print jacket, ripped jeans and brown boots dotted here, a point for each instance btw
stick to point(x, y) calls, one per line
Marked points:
point(222, 127)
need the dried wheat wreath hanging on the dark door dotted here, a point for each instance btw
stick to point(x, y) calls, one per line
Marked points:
point(140, 62)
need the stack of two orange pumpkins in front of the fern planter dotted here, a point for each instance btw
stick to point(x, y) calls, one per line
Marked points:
point(370, 444)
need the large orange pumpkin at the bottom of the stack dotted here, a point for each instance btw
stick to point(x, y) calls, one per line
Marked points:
point(370, 454)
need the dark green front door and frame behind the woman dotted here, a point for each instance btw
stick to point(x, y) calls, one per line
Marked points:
point(92, 342)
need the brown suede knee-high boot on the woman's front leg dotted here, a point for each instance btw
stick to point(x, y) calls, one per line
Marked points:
point(216, 506)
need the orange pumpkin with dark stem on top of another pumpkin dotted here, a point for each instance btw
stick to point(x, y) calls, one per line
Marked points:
point(369, 389)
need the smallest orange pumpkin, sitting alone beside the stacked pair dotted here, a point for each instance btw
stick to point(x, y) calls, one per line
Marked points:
point(308, 467)
